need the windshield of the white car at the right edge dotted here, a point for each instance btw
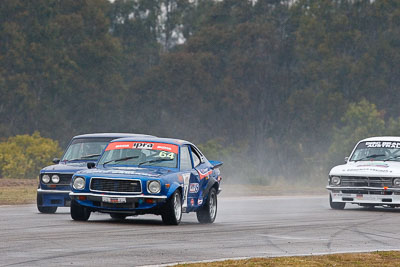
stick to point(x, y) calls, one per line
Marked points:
point(377, 151)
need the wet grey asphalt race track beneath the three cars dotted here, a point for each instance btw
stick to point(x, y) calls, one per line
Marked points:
point(245, 227)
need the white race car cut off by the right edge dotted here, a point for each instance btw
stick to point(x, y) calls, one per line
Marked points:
point(370, 177)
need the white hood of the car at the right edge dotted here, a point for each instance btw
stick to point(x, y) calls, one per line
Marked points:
point(368, 168)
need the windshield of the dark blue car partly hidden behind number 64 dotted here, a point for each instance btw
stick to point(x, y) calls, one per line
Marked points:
point(87, 149)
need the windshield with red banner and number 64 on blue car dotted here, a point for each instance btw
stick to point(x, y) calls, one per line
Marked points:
point(140, 154)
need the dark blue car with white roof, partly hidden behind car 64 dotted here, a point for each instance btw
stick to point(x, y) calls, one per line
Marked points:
point(54, 181)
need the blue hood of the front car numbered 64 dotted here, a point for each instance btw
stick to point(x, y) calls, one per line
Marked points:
point(126, 172)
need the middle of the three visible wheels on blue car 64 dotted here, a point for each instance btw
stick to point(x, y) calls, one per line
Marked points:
point(172, 213)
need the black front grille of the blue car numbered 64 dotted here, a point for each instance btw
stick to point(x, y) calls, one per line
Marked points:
point(115, 185)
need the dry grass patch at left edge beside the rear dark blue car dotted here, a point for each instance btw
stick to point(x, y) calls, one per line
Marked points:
point(17, 191)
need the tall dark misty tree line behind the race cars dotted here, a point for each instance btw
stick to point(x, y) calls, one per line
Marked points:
point(283, 89)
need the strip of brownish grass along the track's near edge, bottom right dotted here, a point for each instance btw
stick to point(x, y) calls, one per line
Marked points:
point(373, 259)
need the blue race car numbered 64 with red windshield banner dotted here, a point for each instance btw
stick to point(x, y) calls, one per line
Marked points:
point(148, 176)
